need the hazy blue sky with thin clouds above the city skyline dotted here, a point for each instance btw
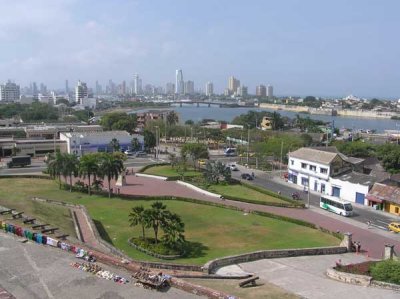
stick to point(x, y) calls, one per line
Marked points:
point(308, 47)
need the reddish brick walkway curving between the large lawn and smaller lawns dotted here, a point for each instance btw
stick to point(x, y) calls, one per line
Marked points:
point(372, 242)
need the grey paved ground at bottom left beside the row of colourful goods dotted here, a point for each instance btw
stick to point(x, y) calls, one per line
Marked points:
point(34, 271)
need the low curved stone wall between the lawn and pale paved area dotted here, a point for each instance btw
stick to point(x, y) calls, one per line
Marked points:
point(213, 265)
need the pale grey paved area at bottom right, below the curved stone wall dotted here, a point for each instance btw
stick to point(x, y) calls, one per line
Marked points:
point(305, 276)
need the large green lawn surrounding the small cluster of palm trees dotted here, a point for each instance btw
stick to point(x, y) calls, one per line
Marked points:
point(213, 232)
